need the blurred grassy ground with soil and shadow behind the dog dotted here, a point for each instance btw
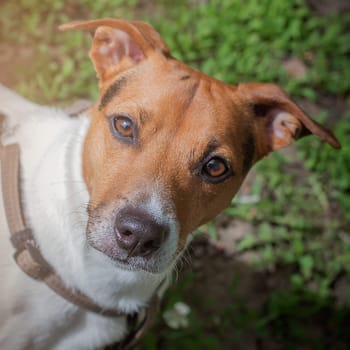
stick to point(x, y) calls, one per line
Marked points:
point(273, 270)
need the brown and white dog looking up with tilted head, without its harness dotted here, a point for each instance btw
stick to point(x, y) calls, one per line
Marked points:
point(112, 196)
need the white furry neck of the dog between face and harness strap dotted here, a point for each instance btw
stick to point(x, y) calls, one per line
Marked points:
point(57, 199)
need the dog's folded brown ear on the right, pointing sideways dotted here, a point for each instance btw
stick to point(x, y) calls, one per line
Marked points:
point(277, 119)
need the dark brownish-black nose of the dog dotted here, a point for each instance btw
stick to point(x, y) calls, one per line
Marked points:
point(137, 233)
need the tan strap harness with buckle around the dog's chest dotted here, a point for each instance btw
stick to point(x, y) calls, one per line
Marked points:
point(30, 260)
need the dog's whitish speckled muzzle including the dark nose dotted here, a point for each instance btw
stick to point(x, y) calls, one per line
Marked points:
point(134, 236)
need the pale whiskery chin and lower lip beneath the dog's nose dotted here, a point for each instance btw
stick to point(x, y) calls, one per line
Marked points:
point(129, 263)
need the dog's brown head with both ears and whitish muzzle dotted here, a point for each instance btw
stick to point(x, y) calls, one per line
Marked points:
point(168, 146)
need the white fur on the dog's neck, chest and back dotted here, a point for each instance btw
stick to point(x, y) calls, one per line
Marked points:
point(54, 201)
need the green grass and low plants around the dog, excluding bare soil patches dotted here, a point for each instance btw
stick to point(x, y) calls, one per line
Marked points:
point(301, 223)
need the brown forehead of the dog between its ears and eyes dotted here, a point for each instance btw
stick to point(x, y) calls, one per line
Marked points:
point(177, 105)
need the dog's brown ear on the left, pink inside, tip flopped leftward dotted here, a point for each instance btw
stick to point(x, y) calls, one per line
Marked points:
point(119, 44)
